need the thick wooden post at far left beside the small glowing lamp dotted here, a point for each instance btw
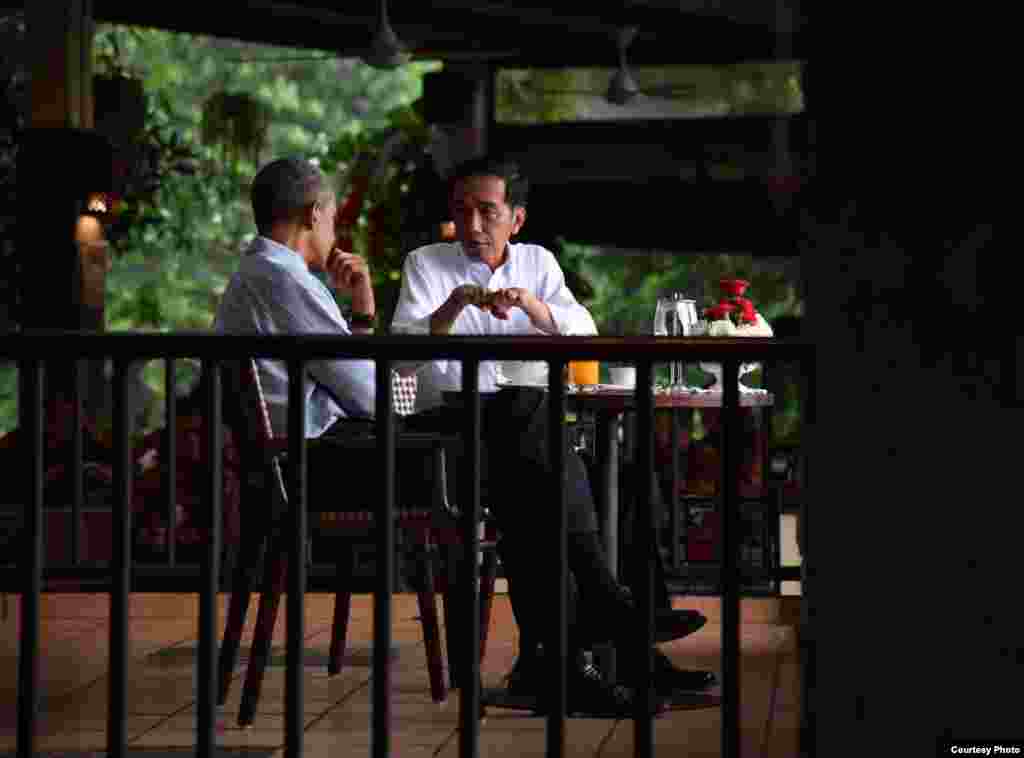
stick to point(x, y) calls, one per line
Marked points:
point(62, 254)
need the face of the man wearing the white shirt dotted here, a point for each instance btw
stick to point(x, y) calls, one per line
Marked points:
point(484, 221)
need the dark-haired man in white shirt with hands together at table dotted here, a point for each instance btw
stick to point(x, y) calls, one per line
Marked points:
point(485, 284)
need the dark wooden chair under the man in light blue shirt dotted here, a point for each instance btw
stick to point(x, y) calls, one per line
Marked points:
point(266, 502)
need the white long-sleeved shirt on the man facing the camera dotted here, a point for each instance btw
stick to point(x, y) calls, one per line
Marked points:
point(432, 274)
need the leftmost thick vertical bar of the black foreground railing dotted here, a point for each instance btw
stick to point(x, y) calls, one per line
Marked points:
point(30, 406)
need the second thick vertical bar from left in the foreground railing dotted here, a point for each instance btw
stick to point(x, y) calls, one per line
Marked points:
point(117, 722)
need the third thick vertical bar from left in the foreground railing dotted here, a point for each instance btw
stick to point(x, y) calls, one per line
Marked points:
point(206, 715)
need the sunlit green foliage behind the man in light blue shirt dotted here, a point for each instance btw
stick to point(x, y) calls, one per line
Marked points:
point(177, 248)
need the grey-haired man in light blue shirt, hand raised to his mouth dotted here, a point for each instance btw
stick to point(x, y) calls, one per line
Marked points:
point(277, 291)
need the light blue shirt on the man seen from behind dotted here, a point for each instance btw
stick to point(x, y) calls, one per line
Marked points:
point(274, 292)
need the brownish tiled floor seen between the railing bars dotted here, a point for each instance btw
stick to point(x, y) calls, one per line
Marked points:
point(337, 714)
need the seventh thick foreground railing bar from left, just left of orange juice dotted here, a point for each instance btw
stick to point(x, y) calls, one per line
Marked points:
point(557, 453)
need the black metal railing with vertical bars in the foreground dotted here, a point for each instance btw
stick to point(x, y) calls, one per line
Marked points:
point(33, 352)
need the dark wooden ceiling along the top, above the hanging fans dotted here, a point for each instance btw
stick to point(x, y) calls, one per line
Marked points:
point(515, 33)
